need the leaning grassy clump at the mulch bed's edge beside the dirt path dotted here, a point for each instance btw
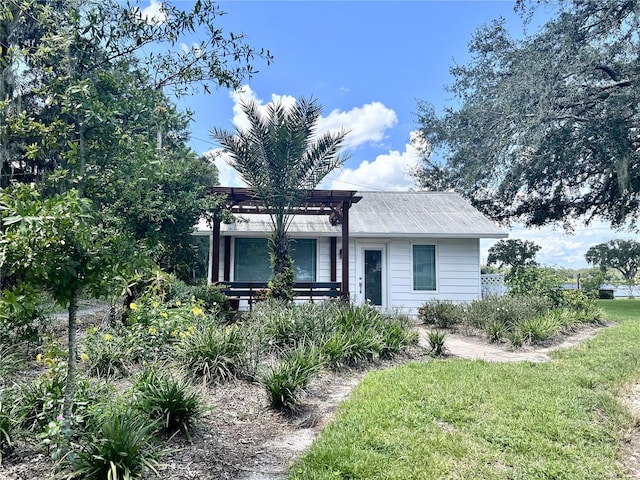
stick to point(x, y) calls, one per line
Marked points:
point(285, 382)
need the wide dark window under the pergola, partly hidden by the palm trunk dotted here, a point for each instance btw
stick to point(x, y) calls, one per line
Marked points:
point(251, 260)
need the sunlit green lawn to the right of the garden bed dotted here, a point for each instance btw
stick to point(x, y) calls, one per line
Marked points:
point(460, 419)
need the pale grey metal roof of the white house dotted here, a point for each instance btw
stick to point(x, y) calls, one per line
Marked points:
point(389, 214)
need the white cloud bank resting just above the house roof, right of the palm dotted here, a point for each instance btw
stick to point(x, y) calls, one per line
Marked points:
point(390, 171)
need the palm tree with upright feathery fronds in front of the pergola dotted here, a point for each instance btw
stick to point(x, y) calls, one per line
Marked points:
point(282, 159)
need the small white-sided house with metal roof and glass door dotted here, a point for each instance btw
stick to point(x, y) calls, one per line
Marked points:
point(395, 250)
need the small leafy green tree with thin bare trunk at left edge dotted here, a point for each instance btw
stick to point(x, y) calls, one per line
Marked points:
point(56, 244)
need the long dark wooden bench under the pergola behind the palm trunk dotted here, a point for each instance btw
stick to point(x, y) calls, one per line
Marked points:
point(250, 291)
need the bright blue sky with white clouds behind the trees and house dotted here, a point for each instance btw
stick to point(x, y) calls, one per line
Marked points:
point(367, 63)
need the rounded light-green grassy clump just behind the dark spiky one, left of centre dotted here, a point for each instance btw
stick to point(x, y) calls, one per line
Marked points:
point(212, 353)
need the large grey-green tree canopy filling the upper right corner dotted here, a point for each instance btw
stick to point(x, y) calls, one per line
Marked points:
point(547, 126)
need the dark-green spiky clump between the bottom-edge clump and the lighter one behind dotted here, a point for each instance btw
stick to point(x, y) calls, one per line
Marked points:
point(168, 400)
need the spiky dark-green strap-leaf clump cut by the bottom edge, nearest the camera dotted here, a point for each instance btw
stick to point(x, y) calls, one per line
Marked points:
point(120, 447)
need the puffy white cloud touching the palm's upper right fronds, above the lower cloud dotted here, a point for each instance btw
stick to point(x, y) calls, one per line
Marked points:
point(365, 124)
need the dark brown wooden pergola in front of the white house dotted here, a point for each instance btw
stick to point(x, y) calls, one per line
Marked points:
point(333, 203)
